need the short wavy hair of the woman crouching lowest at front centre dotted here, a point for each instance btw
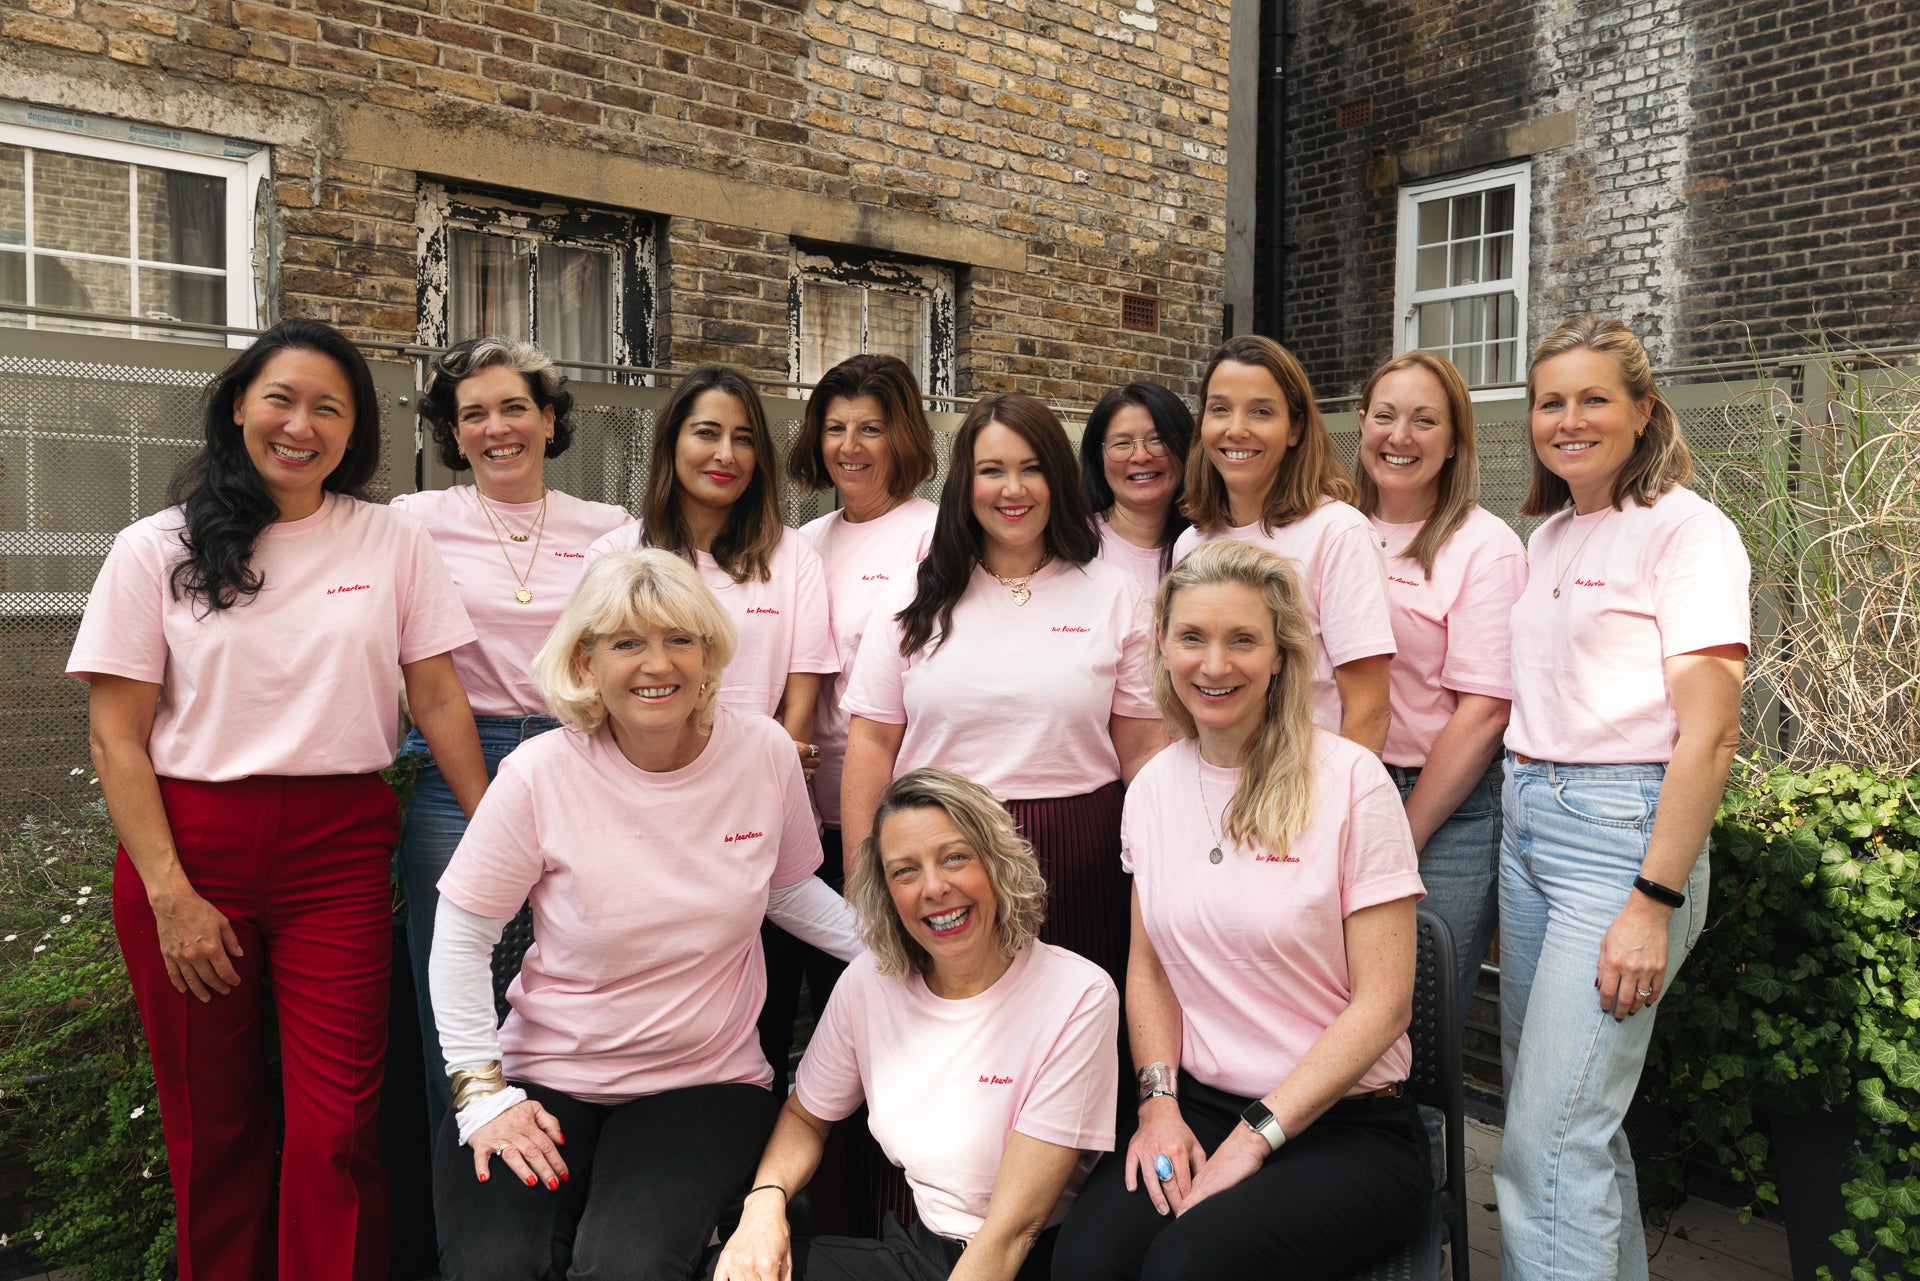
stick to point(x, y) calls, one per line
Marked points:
point(1013, 871)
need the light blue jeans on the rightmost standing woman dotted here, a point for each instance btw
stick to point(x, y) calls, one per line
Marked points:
point(1573, 844)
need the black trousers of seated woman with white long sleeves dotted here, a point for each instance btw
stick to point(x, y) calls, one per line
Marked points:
point(648, 1184)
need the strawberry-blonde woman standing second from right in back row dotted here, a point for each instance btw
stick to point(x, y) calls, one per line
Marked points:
point(1452, 575)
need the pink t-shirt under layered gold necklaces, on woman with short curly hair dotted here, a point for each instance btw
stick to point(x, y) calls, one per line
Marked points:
point(498, 669)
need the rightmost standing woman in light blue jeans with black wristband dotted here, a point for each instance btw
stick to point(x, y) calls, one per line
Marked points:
point(1629, 648)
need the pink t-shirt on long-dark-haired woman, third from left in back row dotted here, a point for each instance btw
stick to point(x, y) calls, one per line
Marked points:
point(784, 623)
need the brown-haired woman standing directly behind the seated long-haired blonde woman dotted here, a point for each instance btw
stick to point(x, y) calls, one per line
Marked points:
point(1266, 473)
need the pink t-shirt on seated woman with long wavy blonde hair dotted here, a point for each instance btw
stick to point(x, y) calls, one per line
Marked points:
point(1255, 946)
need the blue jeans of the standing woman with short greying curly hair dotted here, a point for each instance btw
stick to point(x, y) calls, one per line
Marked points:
point(429, 834)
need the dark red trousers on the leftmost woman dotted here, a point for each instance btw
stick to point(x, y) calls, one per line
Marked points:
point(300, 869)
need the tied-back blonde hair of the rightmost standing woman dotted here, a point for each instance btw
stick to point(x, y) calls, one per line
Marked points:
point(1660, 460)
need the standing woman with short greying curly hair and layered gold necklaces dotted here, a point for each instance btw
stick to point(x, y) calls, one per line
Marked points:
point(516, 550)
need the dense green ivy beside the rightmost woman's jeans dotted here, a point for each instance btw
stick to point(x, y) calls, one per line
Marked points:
point(1806, 992)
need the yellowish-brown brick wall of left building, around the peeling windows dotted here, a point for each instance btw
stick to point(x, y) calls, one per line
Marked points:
point(1057, 155)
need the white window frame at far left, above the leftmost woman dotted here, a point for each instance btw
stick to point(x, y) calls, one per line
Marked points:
point(245, 181)
